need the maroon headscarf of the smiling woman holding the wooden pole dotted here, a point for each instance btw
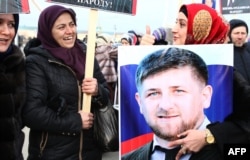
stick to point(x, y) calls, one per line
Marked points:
point(73, 57)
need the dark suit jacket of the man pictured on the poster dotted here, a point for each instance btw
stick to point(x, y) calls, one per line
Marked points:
point(209, 152)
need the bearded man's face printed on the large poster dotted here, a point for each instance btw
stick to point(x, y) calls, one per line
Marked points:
point(173, 100)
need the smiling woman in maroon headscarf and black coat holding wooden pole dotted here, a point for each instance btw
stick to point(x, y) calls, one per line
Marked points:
point(55, 66)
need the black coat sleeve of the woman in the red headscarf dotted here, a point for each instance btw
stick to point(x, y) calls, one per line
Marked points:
point(236, 127)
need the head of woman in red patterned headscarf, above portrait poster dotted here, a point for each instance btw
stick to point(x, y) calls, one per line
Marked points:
point(199, 24)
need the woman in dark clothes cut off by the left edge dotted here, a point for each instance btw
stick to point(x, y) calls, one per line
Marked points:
point(12, 89)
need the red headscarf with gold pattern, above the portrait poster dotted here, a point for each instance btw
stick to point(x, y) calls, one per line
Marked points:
point(205, 25)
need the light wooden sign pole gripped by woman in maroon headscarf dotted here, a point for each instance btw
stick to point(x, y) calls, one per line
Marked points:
point(90, 55)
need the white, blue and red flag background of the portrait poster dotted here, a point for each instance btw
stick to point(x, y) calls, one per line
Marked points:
point(134, 131)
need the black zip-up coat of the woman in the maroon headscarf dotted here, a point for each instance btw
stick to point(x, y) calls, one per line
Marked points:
point(53, 101)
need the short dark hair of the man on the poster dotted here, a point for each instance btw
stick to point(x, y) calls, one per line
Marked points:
point(165, 59)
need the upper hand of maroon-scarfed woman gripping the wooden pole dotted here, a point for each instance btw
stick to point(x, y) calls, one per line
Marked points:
point(90, 86)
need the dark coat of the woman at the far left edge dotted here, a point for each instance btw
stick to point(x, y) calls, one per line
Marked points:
point(12, 97)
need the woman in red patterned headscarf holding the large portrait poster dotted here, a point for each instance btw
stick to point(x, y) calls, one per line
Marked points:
point(200, 24)
